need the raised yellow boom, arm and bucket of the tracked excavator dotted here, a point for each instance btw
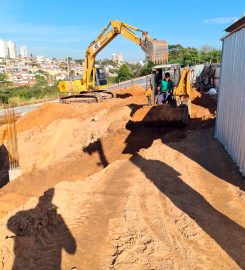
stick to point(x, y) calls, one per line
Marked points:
point(156, 50)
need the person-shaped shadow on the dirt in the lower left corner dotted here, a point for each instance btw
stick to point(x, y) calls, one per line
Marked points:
point(40, 236)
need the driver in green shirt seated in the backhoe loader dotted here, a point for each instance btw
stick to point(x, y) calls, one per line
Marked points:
point(166, 89)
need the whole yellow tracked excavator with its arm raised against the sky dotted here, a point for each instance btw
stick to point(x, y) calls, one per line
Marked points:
point(93, 85)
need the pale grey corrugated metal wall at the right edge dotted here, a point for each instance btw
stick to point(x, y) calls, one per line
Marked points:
point(230, 124)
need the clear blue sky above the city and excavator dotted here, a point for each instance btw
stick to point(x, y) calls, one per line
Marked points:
point(60, 28)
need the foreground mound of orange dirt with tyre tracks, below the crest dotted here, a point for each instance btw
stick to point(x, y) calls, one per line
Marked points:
point(137, 213)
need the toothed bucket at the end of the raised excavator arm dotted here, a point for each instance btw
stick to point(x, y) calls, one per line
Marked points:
point(157, 50)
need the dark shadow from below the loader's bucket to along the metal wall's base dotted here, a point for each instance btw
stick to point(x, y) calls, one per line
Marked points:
point(201, 151)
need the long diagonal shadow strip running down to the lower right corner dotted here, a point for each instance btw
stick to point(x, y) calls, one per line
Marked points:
point(228, 234)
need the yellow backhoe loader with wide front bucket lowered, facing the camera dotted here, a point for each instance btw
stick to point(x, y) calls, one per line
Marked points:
point(178, 108)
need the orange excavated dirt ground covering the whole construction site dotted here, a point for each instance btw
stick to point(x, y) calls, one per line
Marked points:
point(99, 190)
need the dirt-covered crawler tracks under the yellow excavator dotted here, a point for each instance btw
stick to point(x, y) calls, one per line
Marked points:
point(90, 97)
